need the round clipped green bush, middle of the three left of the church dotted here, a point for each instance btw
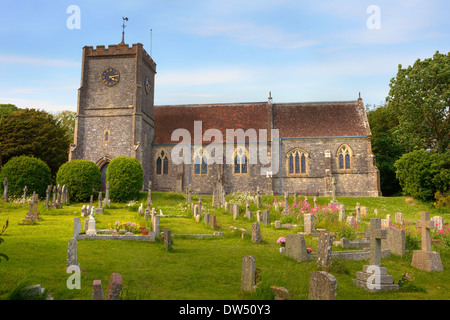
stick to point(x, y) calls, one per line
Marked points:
point(81, 177)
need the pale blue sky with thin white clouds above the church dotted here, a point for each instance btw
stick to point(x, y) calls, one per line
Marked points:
point(211, 51)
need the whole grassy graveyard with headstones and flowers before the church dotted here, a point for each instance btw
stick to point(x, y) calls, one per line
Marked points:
point(236, 247)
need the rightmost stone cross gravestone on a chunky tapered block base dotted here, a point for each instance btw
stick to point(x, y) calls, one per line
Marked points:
point(426, 259)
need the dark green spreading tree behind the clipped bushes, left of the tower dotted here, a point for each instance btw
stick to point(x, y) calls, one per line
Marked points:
point(35, 133)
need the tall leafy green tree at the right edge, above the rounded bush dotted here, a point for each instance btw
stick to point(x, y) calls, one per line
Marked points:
point(420, 97)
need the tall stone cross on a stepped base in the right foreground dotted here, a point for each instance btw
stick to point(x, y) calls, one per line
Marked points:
point(374, 278)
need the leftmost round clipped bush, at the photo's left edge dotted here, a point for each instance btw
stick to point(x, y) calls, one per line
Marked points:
point(25, 171)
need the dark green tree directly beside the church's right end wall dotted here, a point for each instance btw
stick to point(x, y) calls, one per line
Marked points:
point(383, 124)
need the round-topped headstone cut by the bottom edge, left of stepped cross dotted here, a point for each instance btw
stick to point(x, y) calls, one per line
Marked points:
point(322, 286)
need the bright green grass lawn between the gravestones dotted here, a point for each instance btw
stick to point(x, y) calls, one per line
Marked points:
point(209, 268)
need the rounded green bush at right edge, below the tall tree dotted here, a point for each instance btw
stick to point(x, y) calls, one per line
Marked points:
point(422, 173)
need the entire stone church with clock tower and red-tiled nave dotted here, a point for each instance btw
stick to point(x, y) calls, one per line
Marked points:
point(317, 147)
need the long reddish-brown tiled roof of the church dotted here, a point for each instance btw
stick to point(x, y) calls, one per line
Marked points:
point(315, 119)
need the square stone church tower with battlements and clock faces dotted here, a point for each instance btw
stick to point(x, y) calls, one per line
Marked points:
point(115, 106)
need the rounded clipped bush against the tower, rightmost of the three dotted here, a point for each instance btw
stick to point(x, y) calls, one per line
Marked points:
point(125, 176)
